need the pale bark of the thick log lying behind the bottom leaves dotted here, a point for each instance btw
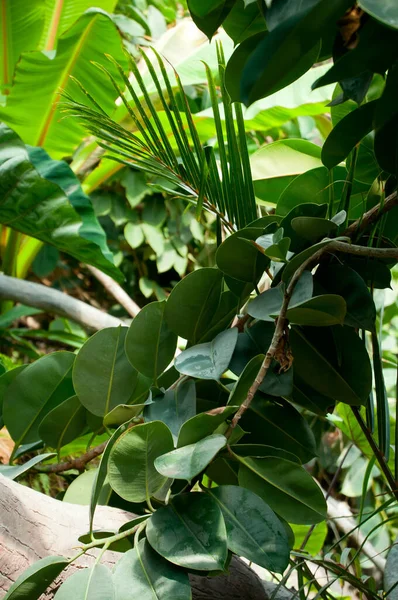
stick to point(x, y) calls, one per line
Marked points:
point(33, 526)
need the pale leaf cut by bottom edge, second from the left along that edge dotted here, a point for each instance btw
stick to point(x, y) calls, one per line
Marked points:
point(88, 584)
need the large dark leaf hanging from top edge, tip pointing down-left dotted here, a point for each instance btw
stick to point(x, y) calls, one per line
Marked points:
point(295, 33)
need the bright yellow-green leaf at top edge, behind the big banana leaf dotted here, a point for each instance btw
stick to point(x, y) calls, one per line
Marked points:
point(58, 17)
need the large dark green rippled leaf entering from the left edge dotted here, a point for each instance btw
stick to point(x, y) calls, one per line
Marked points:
point(46, 207)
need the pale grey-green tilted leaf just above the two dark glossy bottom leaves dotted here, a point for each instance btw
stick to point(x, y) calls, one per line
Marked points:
point(189, 461)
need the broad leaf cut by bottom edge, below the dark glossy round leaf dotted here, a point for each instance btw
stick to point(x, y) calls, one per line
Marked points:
point(144, 574)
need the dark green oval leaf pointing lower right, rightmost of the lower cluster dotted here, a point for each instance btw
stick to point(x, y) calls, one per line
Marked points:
point(286, 486)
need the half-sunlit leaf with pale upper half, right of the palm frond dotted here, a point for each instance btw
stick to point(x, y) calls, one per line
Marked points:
point(275, 165)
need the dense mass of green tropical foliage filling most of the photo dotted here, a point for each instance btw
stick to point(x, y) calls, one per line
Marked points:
point(273, 229)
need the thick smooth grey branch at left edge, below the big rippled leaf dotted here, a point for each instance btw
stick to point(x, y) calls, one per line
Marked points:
point(55, 302)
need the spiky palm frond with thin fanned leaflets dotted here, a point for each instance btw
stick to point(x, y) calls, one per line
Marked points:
point(167, 144)
